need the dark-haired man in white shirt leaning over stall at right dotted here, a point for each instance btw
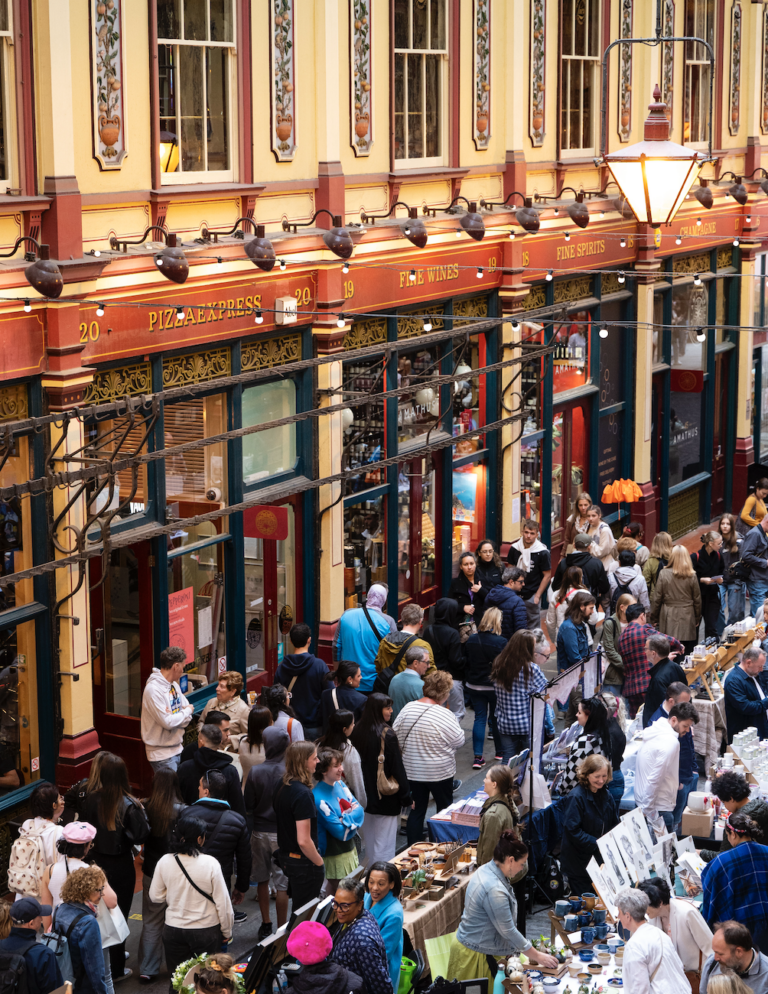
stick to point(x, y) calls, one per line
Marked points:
point(658, 761)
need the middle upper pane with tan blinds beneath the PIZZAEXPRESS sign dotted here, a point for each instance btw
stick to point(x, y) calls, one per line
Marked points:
point(198, 475)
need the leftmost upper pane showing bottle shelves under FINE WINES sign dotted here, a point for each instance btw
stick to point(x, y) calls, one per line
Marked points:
point(364, 443)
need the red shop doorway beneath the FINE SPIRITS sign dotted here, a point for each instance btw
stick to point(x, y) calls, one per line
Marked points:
point(570, 468)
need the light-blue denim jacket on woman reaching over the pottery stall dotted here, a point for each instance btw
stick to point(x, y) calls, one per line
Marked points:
point(488, 924)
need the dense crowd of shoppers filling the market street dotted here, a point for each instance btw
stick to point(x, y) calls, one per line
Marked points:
point(291, 793)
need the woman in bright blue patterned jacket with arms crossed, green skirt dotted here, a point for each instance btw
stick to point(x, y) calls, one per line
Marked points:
point(339, 816)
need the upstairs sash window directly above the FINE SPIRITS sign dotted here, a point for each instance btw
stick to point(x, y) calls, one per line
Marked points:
point(579, 68)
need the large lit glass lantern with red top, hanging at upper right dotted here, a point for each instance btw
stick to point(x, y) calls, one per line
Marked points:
point(655, 175)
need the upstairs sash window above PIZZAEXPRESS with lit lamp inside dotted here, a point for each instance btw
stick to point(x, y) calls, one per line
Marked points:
point(195, 47)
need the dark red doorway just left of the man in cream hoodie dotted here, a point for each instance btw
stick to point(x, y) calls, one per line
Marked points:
point(122, 652)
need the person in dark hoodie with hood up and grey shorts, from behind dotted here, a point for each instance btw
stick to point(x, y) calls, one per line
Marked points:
point(260, 815)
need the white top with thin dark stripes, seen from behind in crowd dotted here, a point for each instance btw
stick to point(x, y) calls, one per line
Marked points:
point(429, 736)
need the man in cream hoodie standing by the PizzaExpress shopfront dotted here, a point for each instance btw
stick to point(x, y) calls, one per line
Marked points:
point(165, 711)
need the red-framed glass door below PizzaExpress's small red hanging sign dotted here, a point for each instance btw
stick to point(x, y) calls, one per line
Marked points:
point(272, 599)
